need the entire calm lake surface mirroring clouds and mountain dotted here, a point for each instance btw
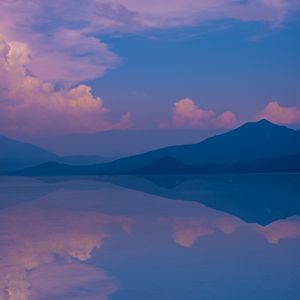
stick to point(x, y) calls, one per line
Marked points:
point(130, 238)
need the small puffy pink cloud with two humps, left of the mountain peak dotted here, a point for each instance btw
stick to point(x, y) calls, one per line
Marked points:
point(187, 114)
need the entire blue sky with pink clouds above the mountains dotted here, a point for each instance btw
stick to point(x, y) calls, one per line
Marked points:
point(100, 65)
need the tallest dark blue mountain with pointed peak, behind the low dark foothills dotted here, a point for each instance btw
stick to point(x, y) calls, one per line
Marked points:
point(251, 141)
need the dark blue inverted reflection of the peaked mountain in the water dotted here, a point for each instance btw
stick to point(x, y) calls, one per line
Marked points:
point(254, 198)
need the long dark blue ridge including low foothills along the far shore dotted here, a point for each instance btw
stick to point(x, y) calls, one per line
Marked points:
point(254, 147)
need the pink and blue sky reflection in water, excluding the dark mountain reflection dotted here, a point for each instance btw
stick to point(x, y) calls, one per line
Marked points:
point(64, 246)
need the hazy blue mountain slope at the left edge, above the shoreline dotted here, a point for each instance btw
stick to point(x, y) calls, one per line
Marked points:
point(16, 155)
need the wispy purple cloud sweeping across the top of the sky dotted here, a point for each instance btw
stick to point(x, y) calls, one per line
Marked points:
point(65, 41)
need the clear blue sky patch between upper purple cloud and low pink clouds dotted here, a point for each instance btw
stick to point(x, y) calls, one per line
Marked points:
point(240, 67)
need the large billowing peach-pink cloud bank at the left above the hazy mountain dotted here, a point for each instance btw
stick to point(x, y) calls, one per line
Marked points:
point(31, 106)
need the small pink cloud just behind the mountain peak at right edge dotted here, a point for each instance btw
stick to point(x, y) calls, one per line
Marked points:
point(279, 114)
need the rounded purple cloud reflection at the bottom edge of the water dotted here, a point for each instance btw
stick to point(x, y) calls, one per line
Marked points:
point(70, 281)
